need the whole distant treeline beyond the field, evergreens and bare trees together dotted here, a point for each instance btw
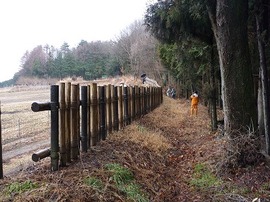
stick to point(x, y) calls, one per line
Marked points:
point(133, 52)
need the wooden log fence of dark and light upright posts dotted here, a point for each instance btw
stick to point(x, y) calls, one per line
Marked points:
point(82, 116)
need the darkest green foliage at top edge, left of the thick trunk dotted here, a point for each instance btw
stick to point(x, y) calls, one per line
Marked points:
point(170, 21)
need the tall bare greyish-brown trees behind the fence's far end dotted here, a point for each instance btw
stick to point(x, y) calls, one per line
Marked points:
point(138, 52)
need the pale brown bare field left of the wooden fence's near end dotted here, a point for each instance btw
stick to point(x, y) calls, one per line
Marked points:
point(23, 131)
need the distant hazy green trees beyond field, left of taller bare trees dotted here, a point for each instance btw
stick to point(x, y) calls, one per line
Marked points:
point(88, 60)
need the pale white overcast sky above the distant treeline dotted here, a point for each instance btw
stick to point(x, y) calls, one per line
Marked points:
point(26, 24)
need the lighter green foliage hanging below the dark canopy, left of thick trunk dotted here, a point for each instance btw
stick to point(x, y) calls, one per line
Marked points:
point(188, 61)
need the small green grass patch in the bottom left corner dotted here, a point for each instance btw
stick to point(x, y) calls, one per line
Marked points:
point(20, 187)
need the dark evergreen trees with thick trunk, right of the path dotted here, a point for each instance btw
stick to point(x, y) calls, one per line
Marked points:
point(226, 40)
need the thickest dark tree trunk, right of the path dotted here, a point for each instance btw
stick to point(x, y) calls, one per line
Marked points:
point(236, 73)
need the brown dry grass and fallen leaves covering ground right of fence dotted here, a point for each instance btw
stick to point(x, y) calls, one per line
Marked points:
point(172, 156)
